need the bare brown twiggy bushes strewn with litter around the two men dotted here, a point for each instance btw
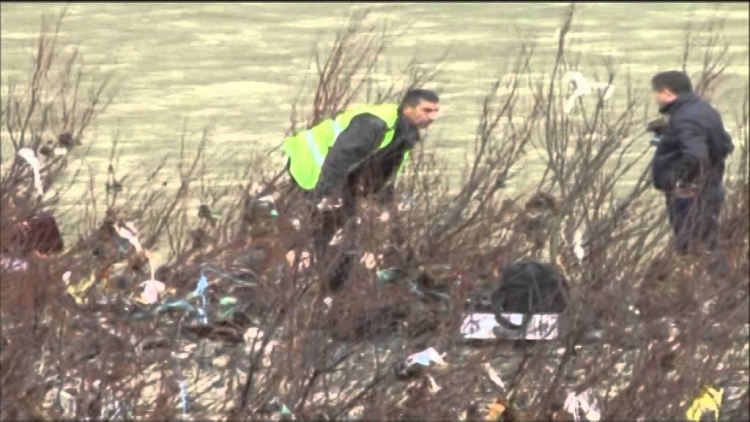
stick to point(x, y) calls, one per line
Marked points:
point(75, 343)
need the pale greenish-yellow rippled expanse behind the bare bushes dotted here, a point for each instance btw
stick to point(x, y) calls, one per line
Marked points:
point(237, 67)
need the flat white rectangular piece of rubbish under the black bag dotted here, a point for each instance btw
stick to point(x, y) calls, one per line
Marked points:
point(484, 326)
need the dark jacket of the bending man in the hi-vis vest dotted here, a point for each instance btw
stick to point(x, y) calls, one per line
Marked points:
point(355, 161)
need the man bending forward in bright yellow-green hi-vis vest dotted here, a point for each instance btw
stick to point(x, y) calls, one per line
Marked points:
point(356, 154)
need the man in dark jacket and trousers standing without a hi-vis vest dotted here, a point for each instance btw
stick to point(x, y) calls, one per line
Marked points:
point(689, 162)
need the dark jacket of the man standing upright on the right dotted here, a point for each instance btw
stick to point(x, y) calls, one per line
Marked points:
point(693, 147)
